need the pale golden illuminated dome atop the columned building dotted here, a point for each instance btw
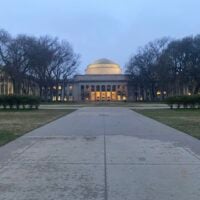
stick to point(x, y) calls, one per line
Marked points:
point(102, 67)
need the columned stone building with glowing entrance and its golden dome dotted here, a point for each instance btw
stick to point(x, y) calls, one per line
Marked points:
point(103, 81)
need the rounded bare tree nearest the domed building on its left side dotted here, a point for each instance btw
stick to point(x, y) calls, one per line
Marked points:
point(51, 62)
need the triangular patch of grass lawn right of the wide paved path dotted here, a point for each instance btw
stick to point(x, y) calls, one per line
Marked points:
point(186, 120)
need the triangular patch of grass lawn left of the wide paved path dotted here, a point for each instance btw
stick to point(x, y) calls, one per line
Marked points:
point(16, 123)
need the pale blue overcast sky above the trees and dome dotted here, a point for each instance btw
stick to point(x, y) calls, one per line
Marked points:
point(102, 28)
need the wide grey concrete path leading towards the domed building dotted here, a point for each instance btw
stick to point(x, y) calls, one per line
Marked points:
point(101, 154)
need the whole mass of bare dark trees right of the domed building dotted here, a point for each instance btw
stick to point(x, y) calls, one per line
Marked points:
point(166, 67)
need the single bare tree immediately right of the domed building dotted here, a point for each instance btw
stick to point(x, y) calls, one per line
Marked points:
point(143, 67)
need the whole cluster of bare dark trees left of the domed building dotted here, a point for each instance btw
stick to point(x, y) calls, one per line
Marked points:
point(44, 61)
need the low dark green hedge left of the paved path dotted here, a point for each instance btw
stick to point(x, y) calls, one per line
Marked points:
point(17, 101)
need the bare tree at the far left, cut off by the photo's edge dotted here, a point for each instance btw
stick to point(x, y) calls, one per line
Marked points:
point(14, 58)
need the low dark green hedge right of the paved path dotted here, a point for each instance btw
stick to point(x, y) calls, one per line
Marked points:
point(184, 101)
